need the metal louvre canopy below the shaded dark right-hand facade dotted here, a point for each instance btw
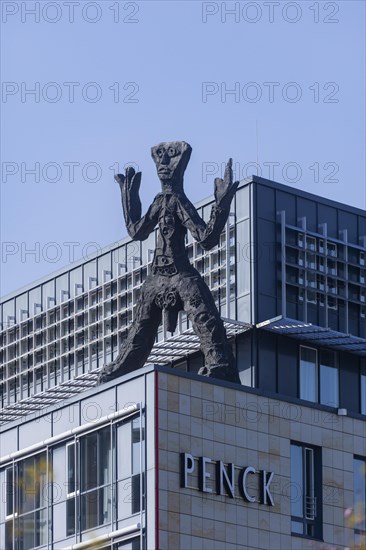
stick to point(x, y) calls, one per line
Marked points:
point(314, 334)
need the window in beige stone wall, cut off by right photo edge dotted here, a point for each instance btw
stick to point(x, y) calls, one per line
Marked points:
point(359, 492)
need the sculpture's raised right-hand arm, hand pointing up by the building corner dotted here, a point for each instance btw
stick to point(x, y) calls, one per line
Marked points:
point(208, 235)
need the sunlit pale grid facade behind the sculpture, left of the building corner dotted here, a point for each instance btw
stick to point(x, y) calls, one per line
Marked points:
point(76, 322)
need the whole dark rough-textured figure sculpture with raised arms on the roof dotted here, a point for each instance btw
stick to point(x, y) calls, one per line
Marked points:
point(174, 284)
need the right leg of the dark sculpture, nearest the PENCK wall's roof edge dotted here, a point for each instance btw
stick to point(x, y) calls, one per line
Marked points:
point(207, 324)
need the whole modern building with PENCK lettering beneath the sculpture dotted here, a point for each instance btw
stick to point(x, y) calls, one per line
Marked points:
point(163, 458)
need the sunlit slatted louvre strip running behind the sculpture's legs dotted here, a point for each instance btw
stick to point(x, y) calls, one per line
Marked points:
point(165, 352)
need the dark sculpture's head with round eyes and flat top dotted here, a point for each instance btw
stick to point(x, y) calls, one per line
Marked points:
point(171, 159)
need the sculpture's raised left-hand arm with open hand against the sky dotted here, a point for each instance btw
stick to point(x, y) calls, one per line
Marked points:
point(139, 228)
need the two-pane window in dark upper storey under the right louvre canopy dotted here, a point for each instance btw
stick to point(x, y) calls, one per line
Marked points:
point(319, 376)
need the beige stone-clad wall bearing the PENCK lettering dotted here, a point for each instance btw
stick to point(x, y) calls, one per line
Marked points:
point(246, 428)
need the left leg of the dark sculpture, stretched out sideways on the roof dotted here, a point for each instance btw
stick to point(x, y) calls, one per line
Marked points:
point(140, 338)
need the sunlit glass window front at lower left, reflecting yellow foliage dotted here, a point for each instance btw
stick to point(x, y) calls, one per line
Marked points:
point(75, 486)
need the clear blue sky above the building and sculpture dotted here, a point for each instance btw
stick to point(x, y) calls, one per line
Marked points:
point(303, 61)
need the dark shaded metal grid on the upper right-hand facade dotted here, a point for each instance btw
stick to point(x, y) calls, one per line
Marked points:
point(324, 279)
